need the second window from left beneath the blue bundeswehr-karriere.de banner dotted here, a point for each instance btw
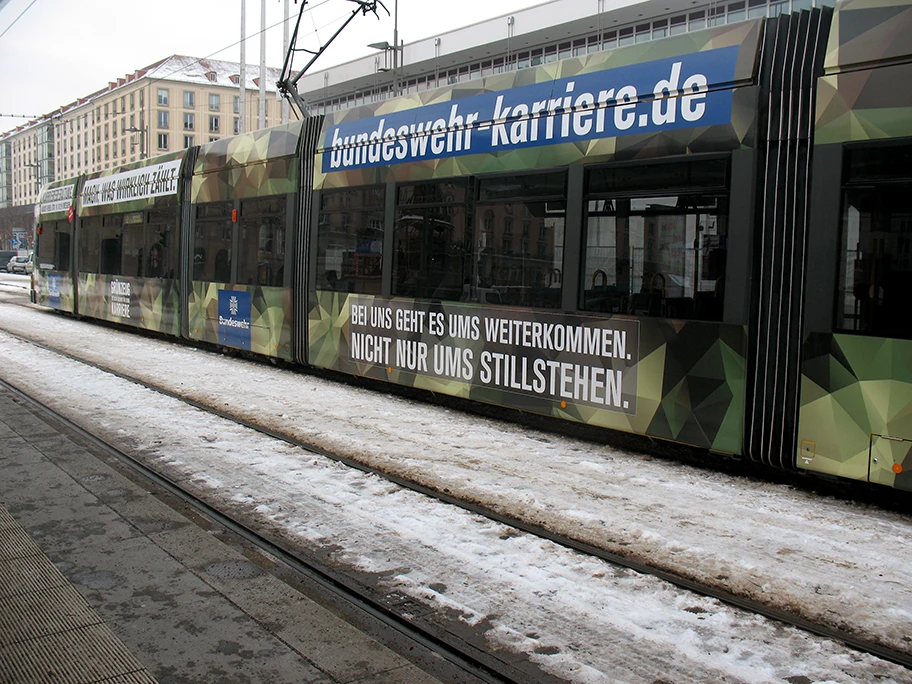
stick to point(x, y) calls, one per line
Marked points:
point(429, 240)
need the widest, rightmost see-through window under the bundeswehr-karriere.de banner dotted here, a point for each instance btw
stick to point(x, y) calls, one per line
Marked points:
point(656, 254)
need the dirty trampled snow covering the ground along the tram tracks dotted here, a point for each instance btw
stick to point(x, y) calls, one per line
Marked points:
point(581, 618)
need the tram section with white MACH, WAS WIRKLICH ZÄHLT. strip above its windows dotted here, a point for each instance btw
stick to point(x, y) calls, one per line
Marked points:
point(128, 245)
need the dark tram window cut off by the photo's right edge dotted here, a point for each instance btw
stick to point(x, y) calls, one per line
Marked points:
point(875, 266)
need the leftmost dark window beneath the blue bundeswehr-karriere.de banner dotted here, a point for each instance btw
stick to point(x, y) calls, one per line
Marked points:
point(350, 239)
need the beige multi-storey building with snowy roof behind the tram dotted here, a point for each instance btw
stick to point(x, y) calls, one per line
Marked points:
point(172, 104)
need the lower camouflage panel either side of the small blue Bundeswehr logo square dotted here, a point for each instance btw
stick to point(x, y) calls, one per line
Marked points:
point(270, 324)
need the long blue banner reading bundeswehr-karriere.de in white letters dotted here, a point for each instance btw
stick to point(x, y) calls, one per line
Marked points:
point(666, 94)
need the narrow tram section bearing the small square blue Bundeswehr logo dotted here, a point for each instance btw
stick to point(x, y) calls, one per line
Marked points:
point(244, 197)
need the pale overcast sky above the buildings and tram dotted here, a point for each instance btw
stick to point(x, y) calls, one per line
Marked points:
point(55, 51)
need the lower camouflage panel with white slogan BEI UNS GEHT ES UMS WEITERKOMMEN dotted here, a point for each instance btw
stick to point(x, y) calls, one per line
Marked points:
point(685, 380)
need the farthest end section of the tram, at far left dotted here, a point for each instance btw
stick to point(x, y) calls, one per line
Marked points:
point(52, 276)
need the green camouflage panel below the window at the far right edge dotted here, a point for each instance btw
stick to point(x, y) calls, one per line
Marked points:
point(856, 412)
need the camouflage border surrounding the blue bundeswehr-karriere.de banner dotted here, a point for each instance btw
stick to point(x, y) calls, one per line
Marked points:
point(740, 131)
